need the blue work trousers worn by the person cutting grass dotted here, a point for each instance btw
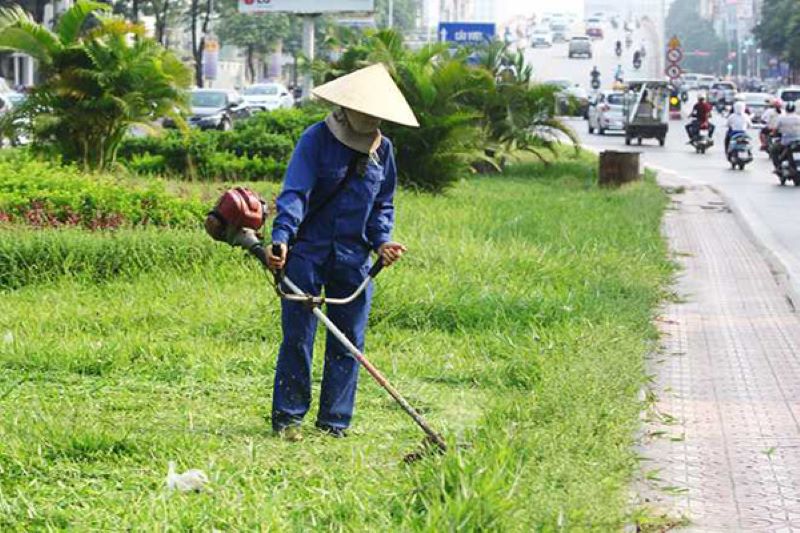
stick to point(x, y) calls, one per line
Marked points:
point(291, 398)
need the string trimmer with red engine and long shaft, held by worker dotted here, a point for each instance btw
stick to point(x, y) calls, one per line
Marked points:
point(236, 218)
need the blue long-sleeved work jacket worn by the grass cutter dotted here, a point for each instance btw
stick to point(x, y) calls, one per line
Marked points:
point(360, 218)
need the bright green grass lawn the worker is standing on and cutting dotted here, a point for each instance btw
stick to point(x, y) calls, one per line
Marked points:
point(518, 323)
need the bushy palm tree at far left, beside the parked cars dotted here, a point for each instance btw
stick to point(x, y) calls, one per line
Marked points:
point(100, 76)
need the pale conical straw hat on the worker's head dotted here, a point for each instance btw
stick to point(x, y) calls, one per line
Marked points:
point(372, 91)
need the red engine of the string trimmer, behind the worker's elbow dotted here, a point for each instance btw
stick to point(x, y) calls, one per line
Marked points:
point(236, 209)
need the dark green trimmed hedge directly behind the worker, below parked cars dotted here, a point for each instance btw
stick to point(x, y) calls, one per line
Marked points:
point(258, 148)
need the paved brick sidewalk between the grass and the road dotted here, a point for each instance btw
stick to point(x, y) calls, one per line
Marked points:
point(725, 436)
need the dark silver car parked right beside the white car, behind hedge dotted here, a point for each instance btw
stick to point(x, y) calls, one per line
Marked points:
point(214, 109)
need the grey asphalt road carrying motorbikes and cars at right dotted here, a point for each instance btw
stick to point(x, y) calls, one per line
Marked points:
point(767, 209)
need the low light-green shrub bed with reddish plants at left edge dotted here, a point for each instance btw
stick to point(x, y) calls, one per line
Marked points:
point(44, 194)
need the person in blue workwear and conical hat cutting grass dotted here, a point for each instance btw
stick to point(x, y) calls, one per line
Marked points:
point(335, 207)
